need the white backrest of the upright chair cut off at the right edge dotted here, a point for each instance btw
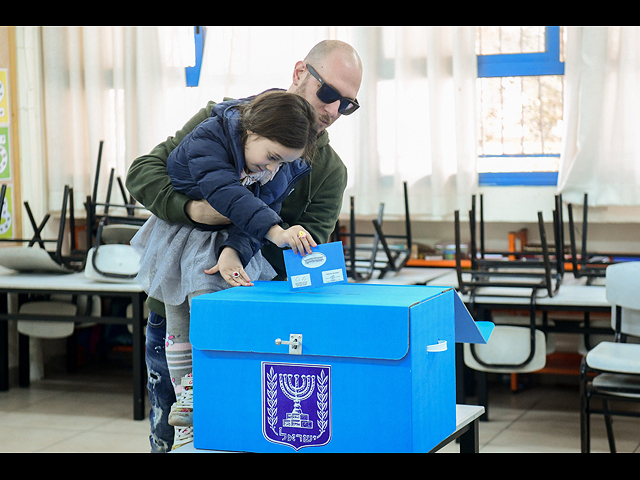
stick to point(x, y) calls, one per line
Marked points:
point(623, 290)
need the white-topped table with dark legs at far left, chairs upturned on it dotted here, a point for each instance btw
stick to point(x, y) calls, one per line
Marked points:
point(75, 284)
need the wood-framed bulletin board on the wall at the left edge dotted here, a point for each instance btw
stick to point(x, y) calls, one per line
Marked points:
point(10, 211)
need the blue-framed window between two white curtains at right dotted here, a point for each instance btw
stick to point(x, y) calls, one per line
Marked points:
point(520, 94)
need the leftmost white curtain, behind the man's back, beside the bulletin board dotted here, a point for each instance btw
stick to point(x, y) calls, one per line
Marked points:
point(122, 85)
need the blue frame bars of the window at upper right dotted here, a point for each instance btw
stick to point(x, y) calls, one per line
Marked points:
point(520, 65)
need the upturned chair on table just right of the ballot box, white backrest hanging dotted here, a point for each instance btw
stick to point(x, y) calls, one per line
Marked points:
point(512, 348)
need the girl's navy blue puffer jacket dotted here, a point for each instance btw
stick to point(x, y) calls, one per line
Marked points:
point(207, 165)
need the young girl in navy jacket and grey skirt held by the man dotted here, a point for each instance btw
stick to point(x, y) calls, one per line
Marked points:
point(244, 160)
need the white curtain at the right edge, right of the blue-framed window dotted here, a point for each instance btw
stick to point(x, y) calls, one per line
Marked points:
point(601, 153)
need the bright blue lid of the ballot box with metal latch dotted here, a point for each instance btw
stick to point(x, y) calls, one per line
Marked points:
point(347, 320)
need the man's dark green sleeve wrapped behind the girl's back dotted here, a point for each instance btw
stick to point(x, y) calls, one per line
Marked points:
point(147, 179)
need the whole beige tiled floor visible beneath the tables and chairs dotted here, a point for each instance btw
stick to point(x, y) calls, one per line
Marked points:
point(91, 411)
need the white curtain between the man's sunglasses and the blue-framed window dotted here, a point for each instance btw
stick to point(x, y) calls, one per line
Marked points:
point(420, 117)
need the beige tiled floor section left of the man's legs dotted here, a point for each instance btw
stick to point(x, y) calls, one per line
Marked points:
point(88, 411)
